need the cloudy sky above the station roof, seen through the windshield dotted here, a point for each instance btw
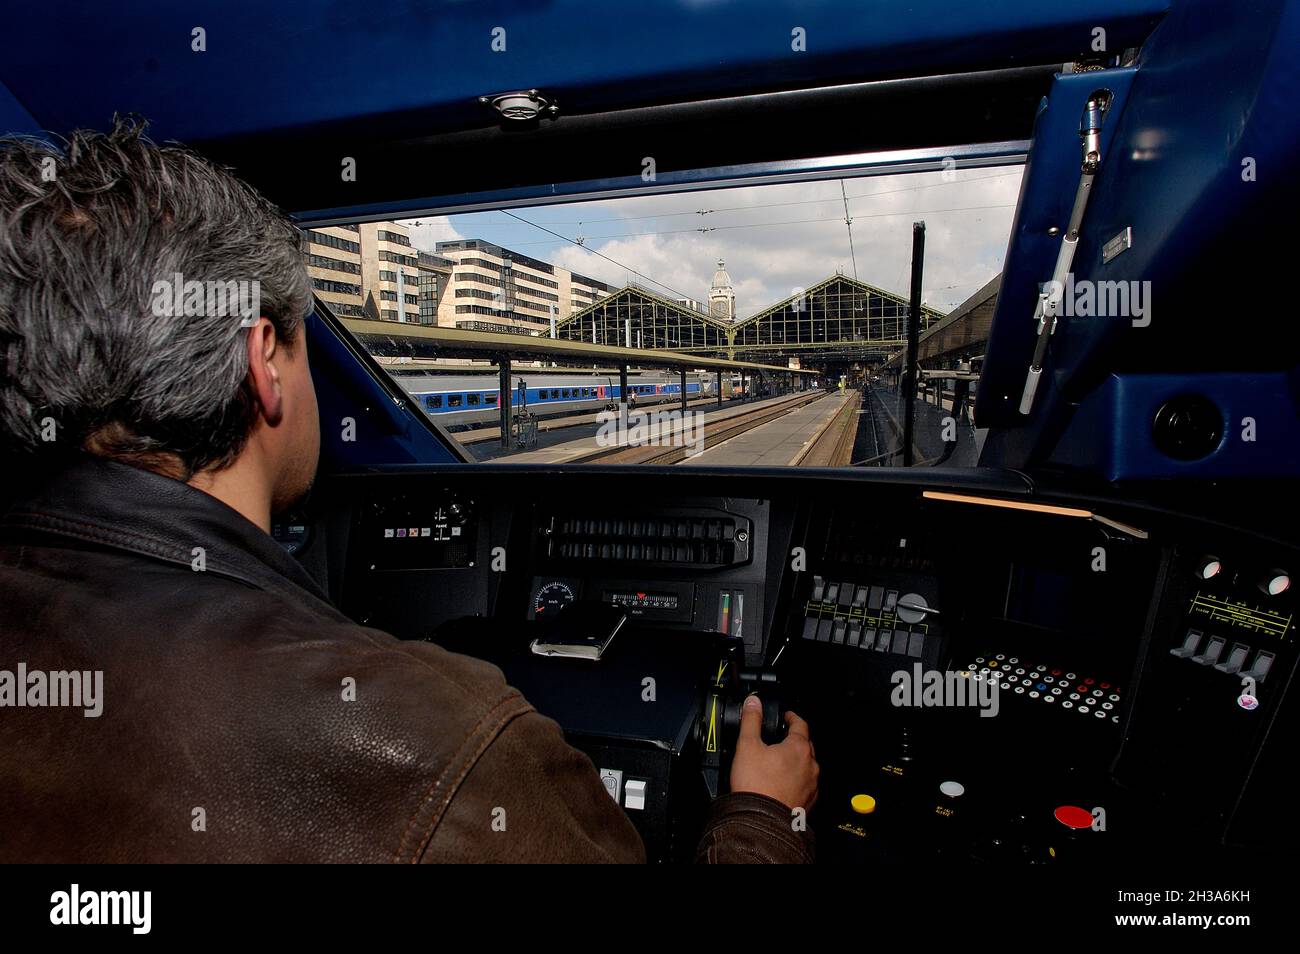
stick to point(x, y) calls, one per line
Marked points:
point(773, 238)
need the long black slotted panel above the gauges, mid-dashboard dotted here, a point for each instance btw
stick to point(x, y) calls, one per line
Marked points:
point(697, 539)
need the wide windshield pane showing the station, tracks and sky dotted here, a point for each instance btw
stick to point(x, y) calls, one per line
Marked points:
point(818, 335)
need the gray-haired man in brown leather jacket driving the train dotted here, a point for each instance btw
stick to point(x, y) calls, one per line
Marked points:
point(158, 428)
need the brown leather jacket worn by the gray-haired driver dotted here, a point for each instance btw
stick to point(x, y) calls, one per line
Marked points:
point(227, 731)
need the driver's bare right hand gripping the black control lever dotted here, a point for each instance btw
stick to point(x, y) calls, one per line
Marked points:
point(786, 771)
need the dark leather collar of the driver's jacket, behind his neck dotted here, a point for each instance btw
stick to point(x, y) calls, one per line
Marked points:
point(127, 509)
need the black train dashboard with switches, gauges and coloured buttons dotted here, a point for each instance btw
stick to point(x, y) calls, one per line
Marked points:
point(990, 673)
